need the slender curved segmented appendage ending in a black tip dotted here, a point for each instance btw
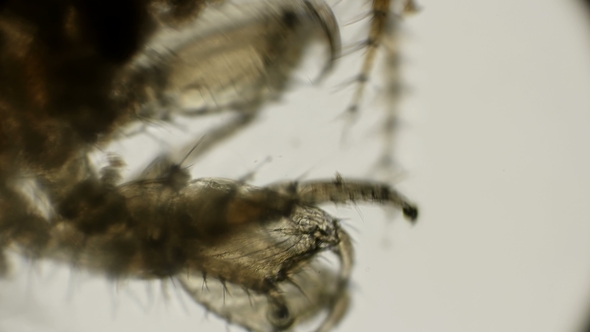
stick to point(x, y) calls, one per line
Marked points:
point(340, 191)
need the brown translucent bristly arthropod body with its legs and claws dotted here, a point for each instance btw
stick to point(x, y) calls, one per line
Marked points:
point(77, 75)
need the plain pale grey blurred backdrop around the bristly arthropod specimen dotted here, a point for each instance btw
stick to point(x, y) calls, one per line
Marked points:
point(492, 143)
